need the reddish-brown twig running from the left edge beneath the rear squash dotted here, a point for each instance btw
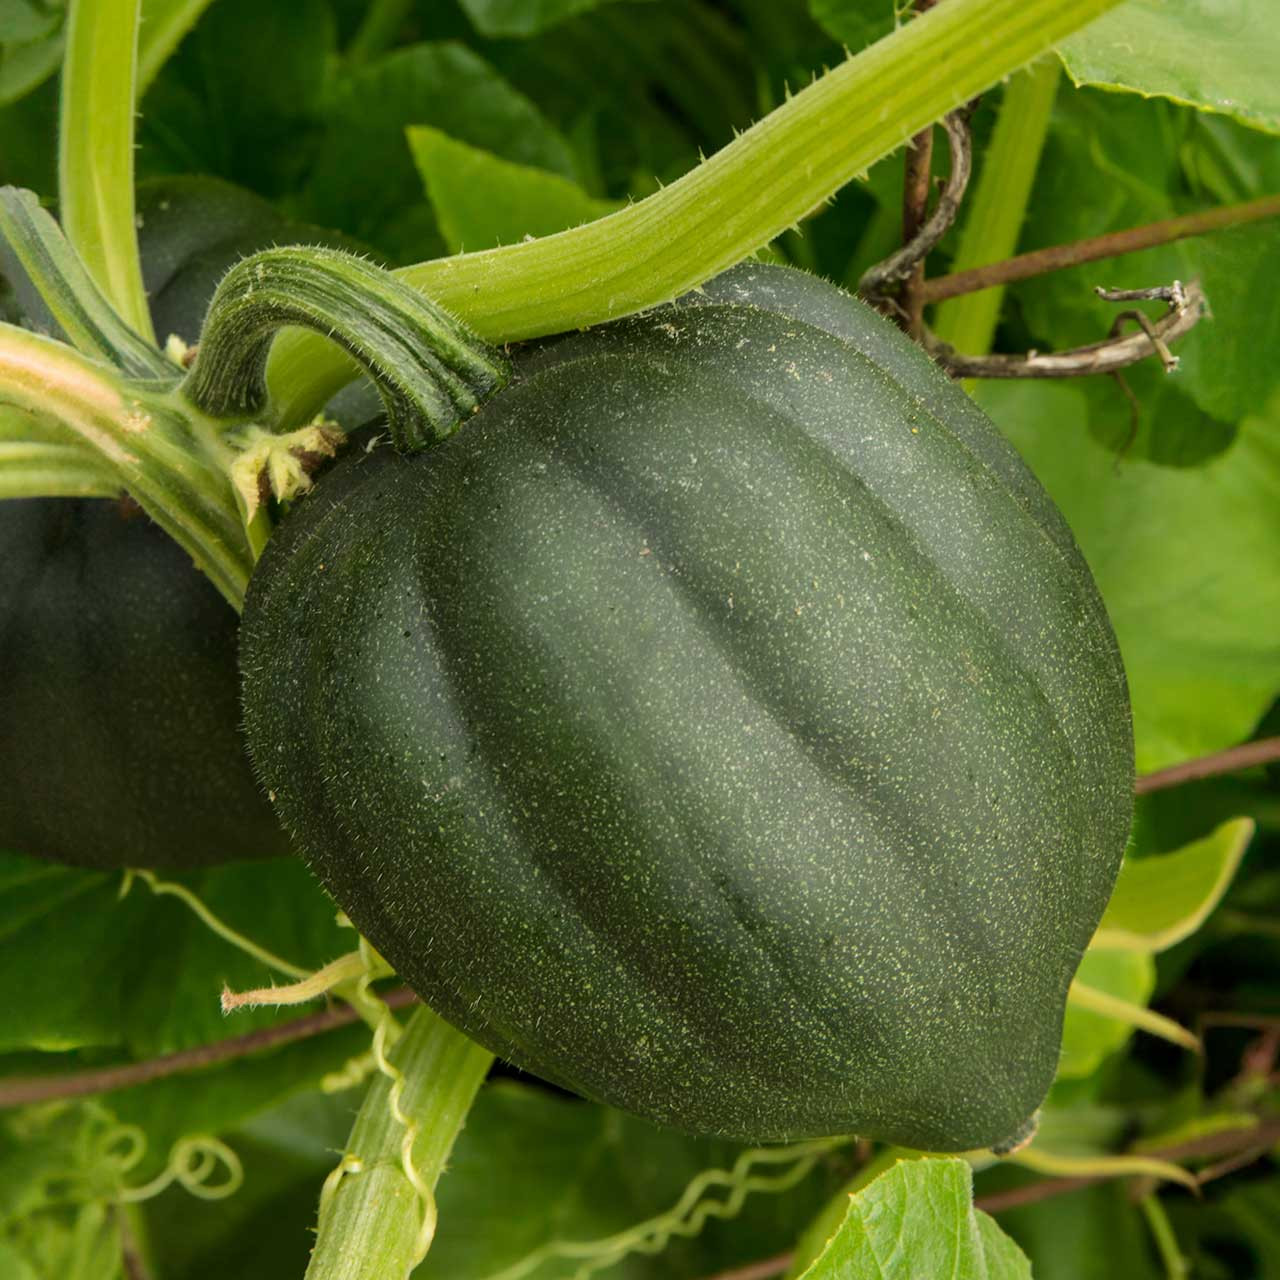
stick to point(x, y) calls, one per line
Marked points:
point(22, 1090)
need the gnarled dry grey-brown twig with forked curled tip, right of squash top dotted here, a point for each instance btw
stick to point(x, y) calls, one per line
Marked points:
point(1100, 358)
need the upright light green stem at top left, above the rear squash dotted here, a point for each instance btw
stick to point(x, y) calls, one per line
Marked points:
point(95, 159)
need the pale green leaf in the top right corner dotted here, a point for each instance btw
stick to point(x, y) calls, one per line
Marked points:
point(1214, 56)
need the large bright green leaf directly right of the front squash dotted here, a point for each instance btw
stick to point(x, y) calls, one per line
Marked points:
point(1174, 552)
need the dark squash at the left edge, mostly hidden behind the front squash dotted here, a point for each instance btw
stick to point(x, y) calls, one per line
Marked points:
point(120, 693)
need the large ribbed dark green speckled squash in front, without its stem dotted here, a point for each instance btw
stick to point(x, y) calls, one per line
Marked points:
point(723, 725)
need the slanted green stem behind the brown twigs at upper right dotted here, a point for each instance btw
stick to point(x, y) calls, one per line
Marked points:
point(999, 204)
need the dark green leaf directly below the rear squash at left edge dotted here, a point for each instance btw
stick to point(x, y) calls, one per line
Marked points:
point(80, 967)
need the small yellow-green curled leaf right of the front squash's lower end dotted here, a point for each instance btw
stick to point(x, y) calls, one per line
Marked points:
point(1163, 900)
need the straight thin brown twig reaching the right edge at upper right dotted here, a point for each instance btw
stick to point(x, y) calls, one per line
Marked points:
point(1095, 249)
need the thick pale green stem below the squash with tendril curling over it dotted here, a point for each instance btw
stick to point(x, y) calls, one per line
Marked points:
point(376, 1219)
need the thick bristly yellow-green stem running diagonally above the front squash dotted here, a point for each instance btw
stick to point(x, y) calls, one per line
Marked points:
point(729, 207)
